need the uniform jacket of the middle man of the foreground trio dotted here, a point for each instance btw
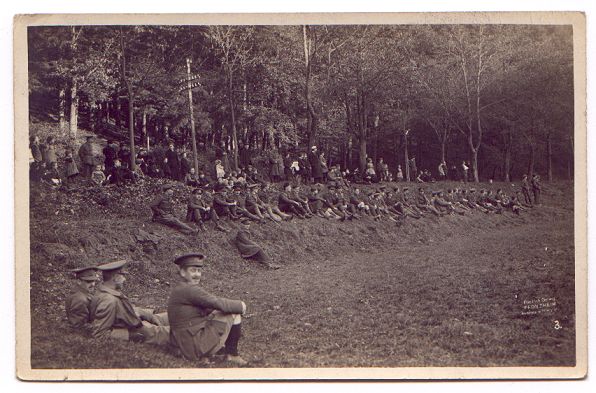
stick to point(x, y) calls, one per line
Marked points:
point(110, 309)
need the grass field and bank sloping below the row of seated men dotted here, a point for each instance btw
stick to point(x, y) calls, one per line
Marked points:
point(454, 291)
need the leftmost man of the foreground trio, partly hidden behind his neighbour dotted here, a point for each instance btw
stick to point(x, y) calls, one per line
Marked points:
point(77, 303)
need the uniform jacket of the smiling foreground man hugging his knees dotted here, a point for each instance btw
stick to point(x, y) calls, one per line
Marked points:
point(192, 328)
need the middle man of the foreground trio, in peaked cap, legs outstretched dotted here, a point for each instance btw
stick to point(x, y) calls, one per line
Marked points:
point(113, 315)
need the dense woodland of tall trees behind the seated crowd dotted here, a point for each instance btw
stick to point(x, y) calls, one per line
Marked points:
point(498, 96)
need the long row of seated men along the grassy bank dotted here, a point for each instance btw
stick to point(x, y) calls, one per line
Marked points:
point(262, 203)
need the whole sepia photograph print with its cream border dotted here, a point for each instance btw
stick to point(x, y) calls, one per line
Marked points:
point(359, 196)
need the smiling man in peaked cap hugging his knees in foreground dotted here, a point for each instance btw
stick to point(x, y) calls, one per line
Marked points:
point(203, 324)
